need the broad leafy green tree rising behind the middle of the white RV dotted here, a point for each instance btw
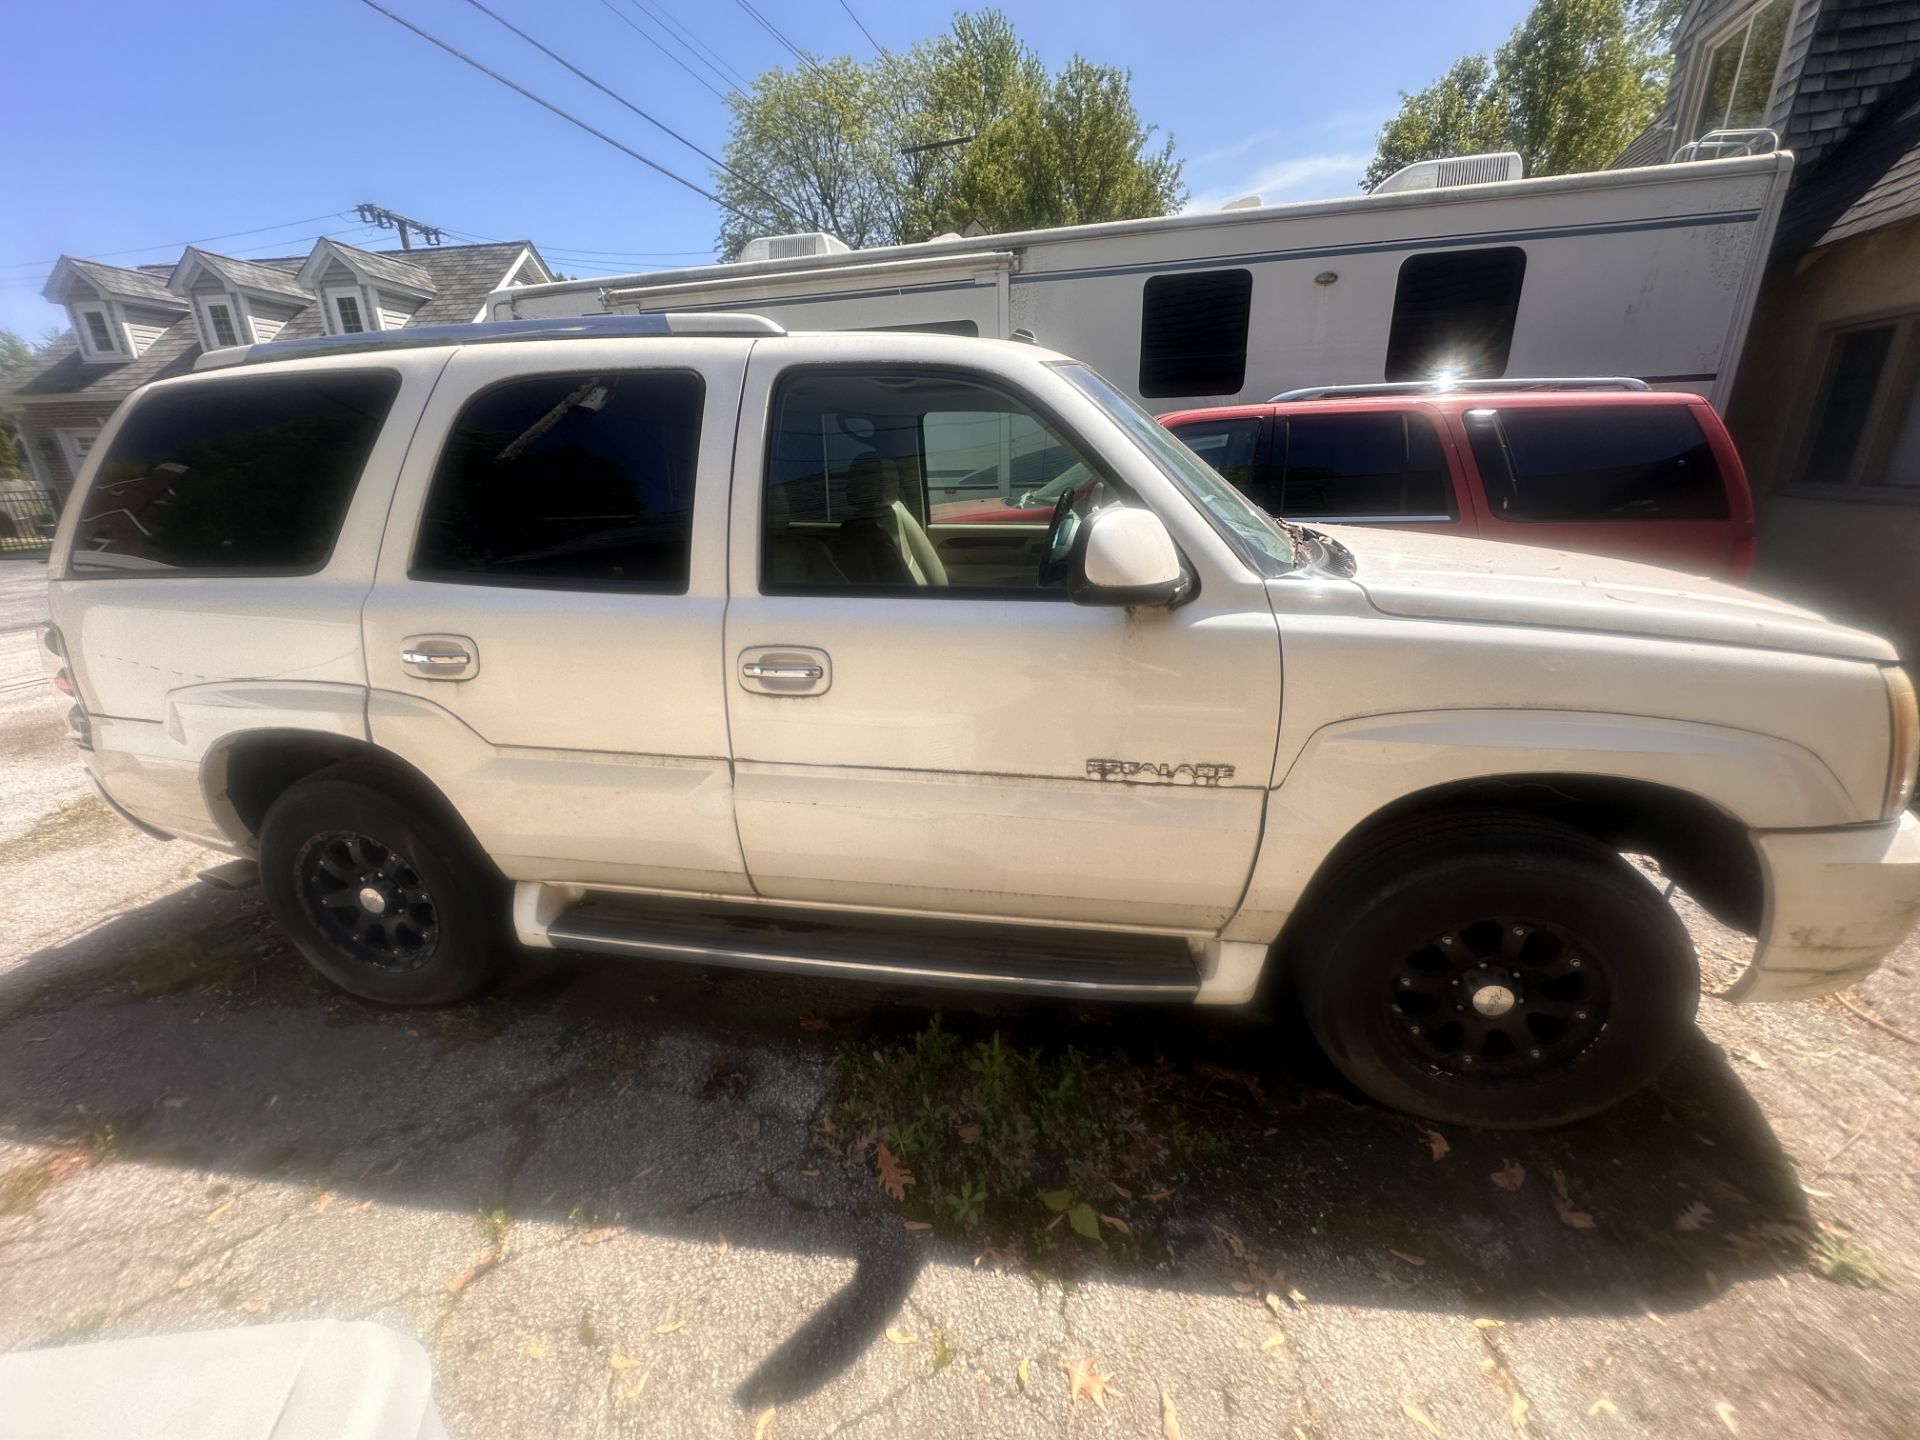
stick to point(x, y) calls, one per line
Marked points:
point(967, 128)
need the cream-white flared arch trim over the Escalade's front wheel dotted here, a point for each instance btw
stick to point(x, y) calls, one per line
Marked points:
point(1353, 771)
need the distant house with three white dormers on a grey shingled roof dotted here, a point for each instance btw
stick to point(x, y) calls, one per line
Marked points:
point(153, 322)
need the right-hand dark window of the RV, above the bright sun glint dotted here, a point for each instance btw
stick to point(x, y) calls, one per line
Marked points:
point(1454, 312)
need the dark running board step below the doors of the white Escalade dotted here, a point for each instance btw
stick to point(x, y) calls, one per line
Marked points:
point(888, 949)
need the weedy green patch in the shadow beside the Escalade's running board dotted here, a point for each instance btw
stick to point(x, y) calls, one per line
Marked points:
point(1053, 1151)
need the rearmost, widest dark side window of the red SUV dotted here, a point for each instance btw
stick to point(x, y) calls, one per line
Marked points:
point(1600, 464)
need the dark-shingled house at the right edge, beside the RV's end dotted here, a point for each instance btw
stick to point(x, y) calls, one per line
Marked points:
point(1827, 402)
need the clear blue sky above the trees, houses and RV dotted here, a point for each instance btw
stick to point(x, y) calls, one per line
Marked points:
point(155, 126)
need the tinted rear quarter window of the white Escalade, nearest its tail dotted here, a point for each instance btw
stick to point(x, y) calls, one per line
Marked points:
point(237, 475)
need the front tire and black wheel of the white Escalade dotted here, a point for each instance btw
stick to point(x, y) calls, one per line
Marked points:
point(1495, 971)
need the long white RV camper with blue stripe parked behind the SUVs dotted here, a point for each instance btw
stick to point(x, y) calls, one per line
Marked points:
point(1641, 272)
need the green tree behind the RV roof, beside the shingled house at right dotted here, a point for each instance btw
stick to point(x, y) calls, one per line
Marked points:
point(1570, 89)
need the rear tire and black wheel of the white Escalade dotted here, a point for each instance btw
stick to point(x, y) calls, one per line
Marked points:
point(435, 923)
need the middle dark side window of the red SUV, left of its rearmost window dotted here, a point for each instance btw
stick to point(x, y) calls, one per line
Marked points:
point(1383, 466)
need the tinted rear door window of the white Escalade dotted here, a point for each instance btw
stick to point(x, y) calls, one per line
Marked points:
point(567, 483)
